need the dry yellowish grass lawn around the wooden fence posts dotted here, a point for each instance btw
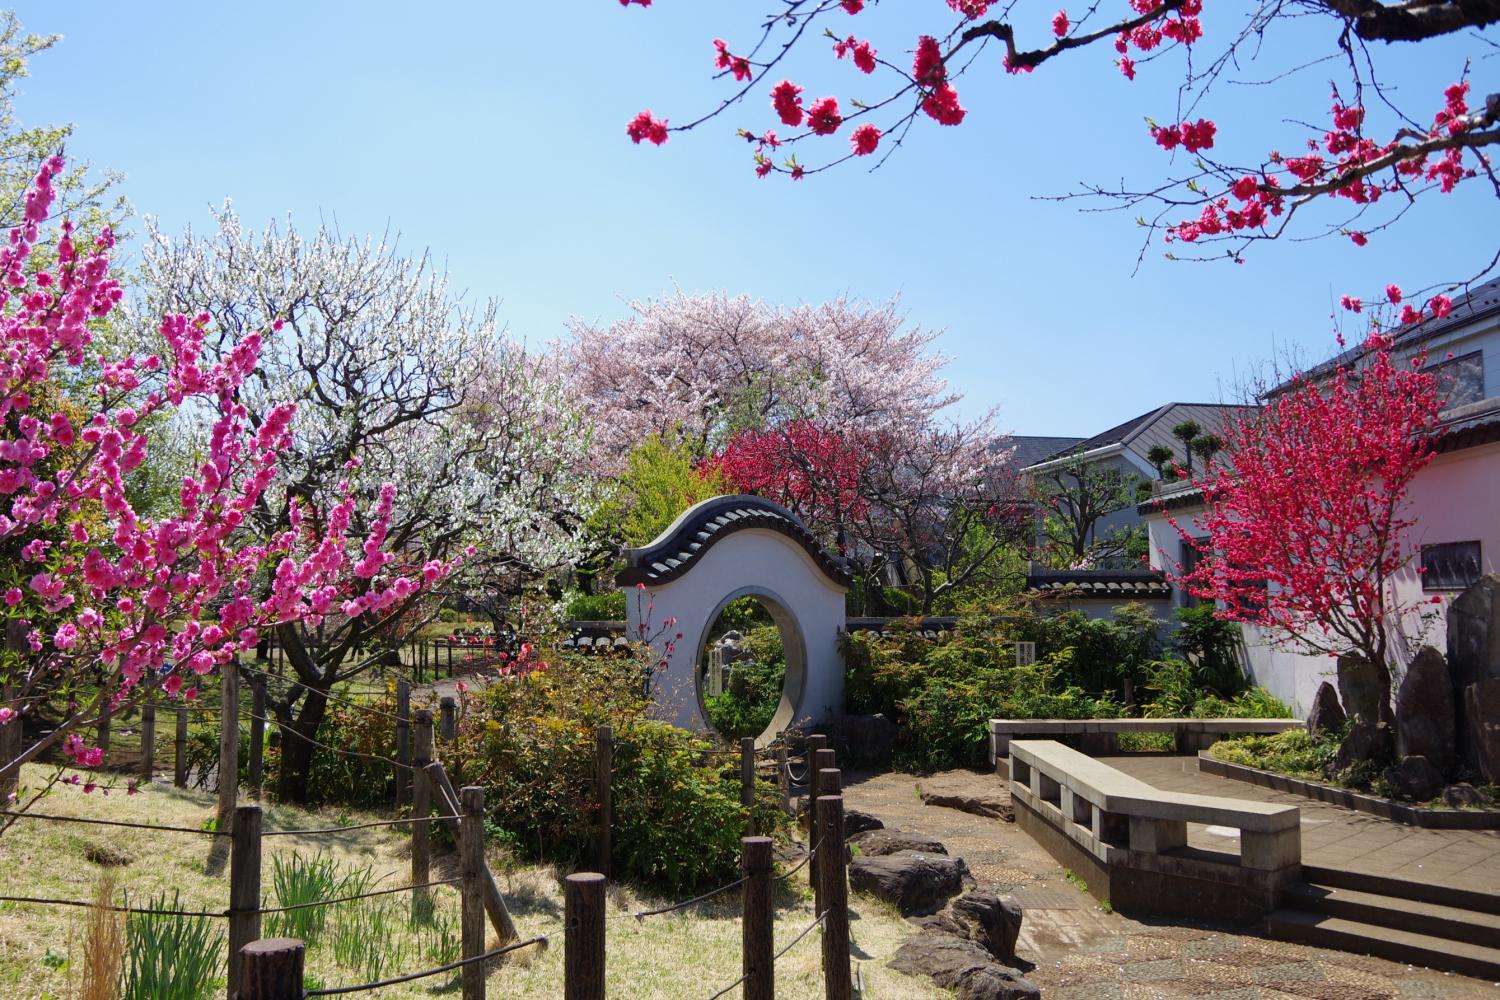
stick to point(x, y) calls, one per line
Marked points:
point(686, 956)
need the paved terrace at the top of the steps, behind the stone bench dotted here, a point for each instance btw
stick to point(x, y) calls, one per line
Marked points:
point(1336, 837)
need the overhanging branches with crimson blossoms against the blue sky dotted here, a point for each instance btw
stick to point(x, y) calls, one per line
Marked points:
point(1373, 167)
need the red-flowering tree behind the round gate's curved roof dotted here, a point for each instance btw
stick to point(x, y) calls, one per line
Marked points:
point(806, 467)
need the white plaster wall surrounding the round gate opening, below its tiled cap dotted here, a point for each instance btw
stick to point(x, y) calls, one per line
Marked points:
point(748, 561)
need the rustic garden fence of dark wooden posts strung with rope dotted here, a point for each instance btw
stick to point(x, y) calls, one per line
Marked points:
point(272, 969)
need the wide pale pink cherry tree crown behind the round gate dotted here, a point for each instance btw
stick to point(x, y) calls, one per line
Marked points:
point(698, 370)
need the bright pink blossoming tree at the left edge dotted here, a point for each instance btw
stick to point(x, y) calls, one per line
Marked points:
point(103, 605)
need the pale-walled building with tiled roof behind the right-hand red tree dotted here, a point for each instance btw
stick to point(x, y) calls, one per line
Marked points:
point(1454, 500)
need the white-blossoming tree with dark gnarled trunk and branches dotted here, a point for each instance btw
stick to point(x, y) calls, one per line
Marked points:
point(392, 371)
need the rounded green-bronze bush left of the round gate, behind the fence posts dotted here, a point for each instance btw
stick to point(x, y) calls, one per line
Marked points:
point(677, 813)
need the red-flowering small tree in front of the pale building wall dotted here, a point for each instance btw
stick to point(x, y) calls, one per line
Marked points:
point(1306, 525)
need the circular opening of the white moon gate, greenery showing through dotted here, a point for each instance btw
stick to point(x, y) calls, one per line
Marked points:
point(751, 669)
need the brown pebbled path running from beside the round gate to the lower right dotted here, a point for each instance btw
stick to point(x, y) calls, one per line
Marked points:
point(1082, 953)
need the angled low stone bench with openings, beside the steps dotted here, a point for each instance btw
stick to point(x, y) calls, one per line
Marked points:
point(1132, 839)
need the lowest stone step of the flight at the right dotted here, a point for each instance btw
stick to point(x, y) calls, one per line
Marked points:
point(1385, 942)
